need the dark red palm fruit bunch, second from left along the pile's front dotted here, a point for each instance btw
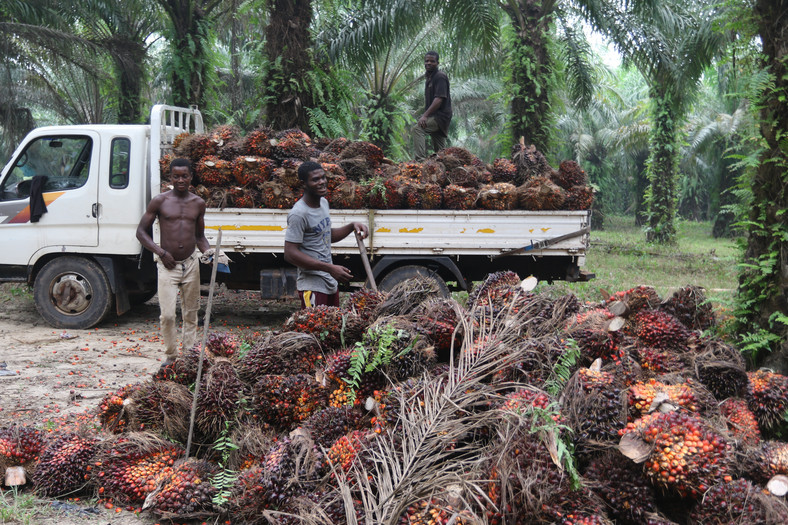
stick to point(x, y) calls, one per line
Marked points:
point(64, 465)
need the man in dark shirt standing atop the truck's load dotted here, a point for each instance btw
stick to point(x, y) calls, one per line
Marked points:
point(437, 113)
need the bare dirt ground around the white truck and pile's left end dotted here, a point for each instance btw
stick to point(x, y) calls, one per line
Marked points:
point(52, 378)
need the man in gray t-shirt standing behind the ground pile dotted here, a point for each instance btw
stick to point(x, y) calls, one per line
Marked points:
point(308, 241)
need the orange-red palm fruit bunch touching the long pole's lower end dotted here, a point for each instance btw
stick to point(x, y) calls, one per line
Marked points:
point(185, 492)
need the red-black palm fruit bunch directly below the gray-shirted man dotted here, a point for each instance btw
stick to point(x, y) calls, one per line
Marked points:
point(329, 324)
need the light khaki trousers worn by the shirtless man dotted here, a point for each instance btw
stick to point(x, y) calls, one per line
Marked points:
point(186, 278)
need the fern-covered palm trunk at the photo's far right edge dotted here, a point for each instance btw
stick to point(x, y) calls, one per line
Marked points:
point(763, 291)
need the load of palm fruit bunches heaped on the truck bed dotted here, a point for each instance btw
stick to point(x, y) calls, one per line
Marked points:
point(259, 170)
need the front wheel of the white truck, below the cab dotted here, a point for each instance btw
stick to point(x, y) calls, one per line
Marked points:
point(72, 292)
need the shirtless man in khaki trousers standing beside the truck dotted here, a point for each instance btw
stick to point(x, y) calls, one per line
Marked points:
point(182, 222)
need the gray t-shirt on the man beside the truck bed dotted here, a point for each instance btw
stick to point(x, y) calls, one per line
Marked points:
point(311, 228)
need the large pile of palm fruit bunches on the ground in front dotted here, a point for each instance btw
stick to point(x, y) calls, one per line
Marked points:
point(403, 407)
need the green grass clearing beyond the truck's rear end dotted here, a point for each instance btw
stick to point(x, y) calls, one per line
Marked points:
point(621, 259)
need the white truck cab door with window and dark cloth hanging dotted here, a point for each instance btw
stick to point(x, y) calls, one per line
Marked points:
point(68, 166)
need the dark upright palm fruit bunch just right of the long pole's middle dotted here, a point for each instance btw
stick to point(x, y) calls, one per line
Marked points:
point(221, 392)
